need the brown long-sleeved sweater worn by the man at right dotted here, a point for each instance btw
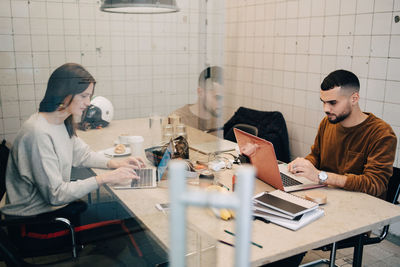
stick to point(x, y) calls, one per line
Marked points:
point(364, 153)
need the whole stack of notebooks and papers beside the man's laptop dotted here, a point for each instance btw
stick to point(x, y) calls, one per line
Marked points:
point(285, 209)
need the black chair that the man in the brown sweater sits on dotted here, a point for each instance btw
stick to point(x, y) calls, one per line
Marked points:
point(358, 242)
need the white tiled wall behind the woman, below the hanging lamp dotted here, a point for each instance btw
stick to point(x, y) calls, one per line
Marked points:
point(143, 63)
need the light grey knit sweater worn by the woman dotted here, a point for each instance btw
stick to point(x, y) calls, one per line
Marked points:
point(39, 168)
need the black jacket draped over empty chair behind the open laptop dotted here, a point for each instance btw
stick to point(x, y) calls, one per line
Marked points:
point(269, 125)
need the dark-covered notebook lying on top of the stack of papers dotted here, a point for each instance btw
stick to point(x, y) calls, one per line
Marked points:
point(285, 202)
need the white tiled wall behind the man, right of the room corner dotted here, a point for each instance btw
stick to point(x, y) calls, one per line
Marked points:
point(278, 52)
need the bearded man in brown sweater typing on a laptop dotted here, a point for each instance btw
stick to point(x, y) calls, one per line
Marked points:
point(353, 150)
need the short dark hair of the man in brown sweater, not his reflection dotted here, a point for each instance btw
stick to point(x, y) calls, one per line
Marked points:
point(341, 78)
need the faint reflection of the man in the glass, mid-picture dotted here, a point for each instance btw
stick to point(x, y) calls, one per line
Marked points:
point(205, 112)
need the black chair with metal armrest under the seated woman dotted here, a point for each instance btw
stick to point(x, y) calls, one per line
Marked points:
point(7, 247)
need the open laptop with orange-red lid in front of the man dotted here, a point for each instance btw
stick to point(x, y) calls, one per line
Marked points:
point(268, 170)
